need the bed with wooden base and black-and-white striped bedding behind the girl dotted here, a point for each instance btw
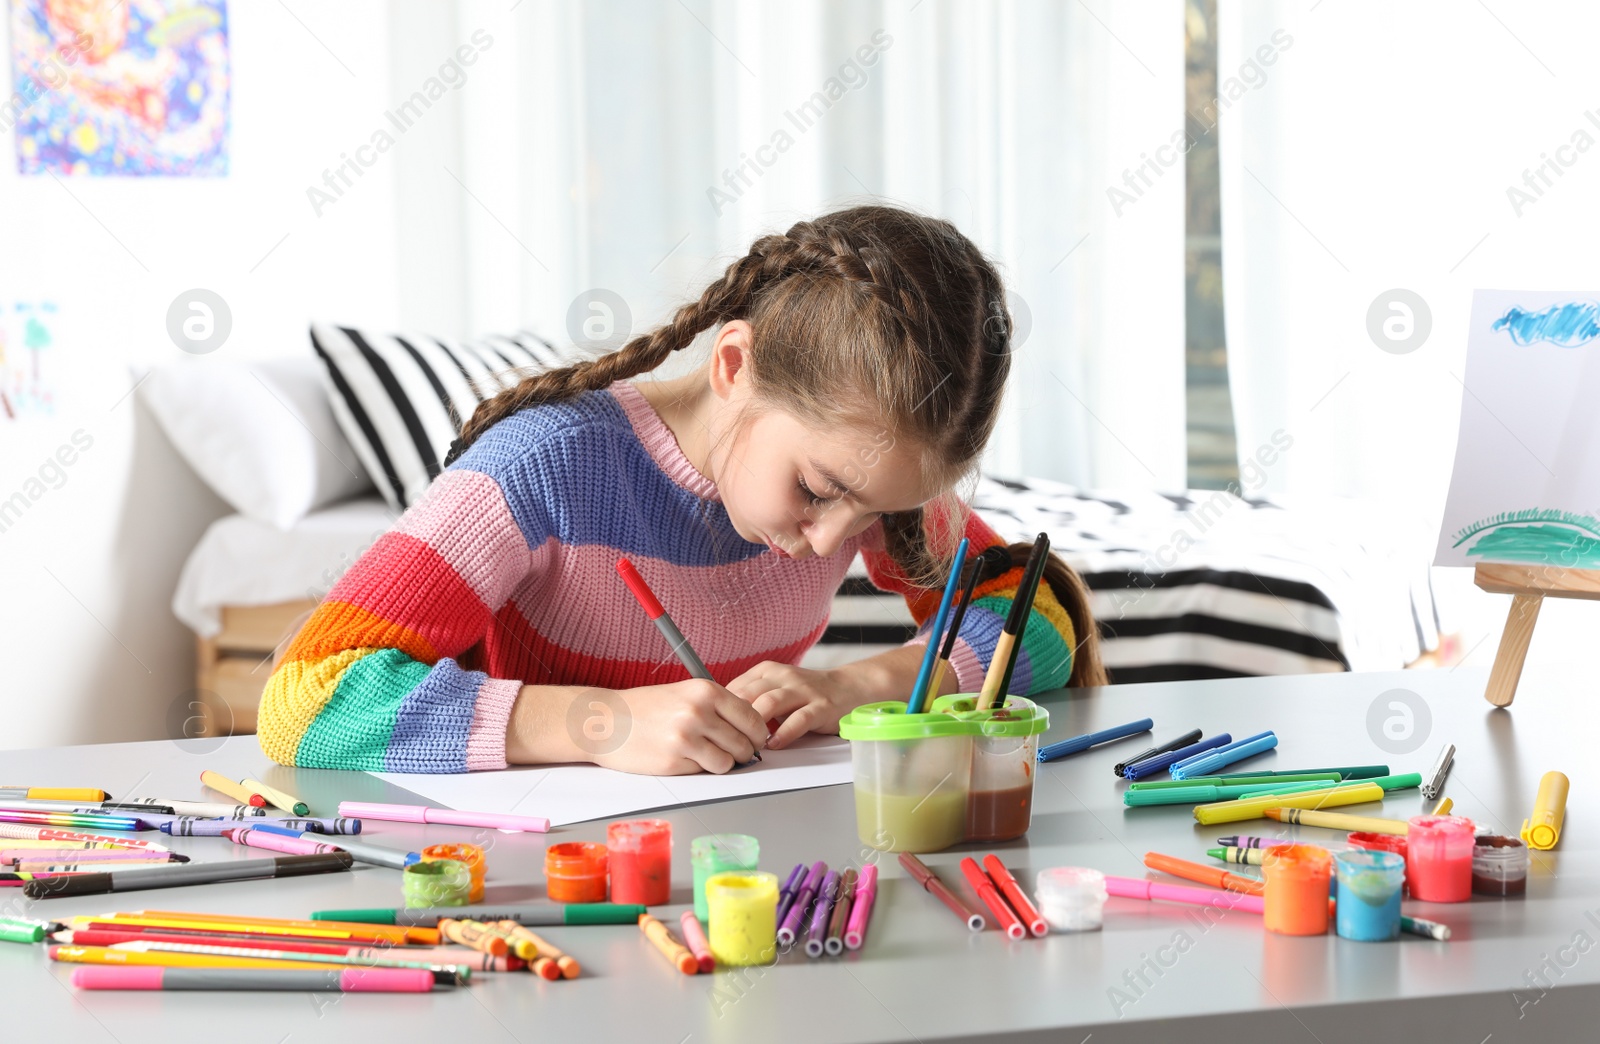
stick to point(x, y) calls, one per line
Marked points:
point(1185, 585)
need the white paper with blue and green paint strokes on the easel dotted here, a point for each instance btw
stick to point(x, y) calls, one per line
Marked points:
point(1527, 478)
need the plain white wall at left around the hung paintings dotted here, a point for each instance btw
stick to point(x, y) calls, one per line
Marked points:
point(90, 646)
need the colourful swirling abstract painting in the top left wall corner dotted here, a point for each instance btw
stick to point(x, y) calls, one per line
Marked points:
point(119, 87)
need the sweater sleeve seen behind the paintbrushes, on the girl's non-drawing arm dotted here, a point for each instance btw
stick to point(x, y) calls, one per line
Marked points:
point(1046, 657)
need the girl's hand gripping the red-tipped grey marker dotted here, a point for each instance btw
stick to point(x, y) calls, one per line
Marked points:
point(686, 728)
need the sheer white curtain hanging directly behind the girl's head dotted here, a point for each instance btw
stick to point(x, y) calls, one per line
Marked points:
point(639, 148)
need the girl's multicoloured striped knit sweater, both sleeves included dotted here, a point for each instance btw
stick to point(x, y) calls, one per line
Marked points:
point(505, 574)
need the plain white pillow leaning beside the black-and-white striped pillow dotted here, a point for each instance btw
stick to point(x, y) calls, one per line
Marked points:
point(262, 435)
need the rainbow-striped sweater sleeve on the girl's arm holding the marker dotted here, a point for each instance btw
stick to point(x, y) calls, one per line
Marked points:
point(372, 681)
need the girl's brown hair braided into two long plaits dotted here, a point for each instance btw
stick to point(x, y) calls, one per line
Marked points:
point(874, 319)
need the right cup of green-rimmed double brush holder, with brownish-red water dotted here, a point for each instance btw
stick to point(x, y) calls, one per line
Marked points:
point(1006, 761)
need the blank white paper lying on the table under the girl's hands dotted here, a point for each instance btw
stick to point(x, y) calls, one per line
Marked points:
point(580, 793)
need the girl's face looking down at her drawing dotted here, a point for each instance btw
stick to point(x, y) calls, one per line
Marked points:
point(804, 492)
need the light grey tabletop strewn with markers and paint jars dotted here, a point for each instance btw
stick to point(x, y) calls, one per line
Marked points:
point(1516, 970)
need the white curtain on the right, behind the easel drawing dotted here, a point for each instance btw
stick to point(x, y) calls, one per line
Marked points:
point(1385, 150)
